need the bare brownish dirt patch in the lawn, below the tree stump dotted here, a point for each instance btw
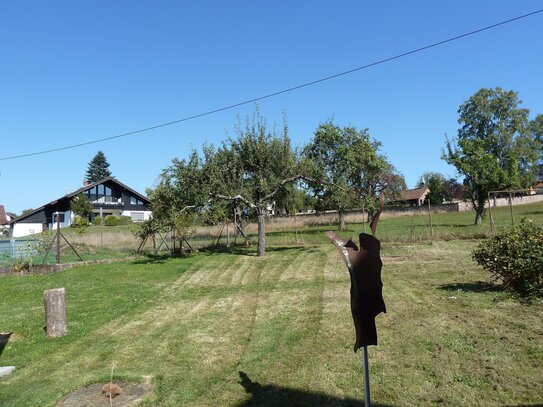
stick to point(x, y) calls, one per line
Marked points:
point(91, 396)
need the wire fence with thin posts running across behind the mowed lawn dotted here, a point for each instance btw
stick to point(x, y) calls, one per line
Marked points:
point(396, 225)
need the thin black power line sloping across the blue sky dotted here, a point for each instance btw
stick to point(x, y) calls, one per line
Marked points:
point(270, 95)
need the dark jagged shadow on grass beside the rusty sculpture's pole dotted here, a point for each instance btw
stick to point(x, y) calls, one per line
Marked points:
point(271, 395)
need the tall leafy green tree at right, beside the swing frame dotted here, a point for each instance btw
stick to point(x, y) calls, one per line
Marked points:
point(487, 148)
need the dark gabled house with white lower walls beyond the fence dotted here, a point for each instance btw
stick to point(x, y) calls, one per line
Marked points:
point(108, 197)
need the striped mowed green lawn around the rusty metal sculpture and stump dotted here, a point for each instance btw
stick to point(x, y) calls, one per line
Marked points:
point(228, 328)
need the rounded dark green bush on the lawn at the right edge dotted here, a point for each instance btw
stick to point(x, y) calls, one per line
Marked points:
point(515, 256)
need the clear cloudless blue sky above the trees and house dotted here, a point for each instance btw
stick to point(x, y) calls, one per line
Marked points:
point(71, 72)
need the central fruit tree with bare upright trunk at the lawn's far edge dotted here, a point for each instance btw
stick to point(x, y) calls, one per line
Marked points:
point(252, 169)
